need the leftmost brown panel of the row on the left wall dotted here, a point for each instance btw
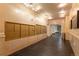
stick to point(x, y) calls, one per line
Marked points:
point(9, 31)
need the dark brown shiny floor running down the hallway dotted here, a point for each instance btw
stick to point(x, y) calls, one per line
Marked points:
point(51, 46)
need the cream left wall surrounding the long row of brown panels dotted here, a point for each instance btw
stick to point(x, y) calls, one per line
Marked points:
point(19, 14)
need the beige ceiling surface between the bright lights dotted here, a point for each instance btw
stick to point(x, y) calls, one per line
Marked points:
point(53, 9)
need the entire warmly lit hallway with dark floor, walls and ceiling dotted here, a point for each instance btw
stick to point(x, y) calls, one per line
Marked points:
point(33, 29)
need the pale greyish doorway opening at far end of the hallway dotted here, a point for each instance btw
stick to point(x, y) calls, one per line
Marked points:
point(56, 32)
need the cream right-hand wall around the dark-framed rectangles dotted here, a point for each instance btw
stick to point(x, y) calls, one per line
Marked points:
point(72, 34)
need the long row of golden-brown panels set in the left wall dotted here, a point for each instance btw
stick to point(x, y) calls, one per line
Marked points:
point(17, 30)
